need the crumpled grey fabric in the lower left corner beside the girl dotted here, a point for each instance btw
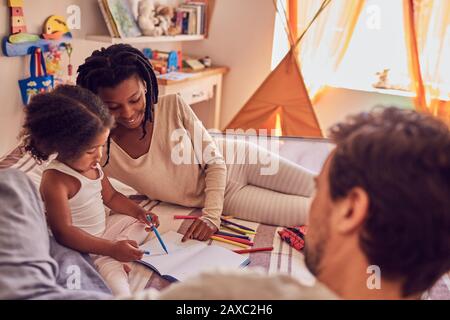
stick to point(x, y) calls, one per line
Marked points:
point(27, 270)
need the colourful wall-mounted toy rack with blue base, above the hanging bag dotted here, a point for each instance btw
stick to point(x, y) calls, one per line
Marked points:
point(21, 43)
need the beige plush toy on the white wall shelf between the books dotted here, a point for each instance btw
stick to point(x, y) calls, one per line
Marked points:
point(154, 20)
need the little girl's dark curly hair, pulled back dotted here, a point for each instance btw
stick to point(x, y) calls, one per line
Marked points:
point(64, 121)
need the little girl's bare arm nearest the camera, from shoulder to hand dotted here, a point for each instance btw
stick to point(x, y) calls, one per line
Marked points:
point(55, 195)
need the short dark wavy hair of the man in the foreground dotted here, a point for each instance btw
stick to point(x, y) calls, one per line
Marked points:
point(401, 158)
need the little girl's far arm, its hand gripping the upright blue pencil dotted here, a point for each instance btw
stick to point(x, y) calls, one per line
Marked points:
point(119, 203)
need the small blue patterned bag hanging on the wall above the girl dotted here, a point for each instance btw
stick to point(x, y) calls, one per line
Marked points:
point(36, 84)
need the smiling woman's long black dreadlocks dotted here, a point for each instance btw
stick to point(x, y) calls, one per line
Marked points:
point(107, 68)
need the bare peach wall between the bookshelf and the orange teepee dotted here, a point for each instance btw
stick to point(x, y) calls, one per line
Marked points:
point(241, 38)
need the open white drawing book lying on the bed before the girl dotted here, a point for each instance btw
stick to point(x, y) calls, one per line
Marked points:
point(187, 259)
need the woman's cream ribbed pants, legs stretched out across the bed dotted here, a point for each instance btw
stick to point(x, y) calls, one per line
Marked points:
point(282, 198)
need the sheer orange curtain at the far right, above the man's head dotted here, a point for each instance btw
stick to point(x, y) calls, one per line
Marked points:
point(428, 41)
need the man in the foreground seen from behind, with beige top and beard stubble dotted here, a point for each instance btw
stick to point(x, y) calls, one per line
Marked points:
point(379, 223)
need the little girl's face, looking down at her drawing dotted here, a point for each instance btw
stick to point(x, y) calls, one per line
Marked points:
point(90, 158)
